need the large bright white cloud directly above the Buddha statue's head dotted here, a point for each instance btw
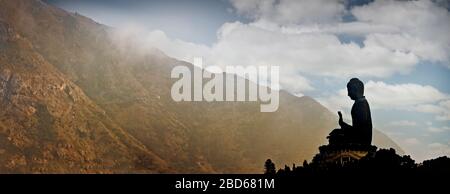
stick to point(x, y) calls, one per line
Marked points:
point(312, 53)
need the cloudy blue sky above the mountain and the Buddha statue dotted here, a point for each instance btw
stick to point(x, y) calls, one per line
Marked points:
point(399, 49)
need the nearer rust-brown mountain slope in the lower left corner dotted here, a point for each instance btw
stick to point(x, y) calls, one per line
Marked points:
point(47, 124)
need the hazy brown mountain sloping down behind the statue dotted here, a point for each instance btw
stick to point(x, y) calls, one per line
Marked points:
point(74, 98)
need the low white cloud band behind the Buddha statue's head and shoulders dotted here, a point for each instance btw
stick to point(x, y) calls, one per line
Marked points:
point(408, 97)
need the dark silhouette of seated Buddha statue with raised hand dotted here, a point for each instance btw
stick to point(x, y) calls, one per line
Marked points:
point(360, 132)
